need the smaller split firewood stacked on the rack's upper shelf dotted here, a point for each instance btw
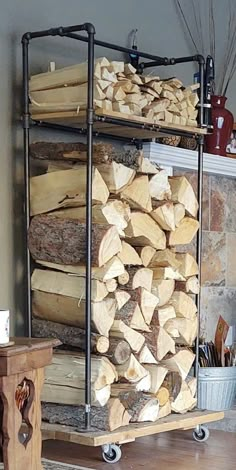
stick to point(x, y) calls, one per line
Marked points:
point(118, 88)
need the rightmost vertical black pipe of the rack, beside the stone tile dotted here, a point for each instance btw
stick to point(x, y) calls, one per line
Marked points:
point(200, 189)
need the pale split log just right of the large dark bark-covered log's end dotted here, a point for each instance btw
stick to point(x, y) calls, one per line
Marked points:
point(142, 230)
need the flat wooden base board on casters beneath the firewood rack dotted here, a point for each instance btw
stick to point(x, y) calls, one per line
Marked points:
point(129, 433)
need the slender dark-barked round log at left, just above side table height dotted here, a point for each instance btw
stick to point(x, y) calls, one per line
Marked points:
point(69, 335)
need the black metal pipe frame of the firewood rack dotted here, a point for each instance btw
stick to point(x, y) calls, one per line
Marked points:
point(70, 32)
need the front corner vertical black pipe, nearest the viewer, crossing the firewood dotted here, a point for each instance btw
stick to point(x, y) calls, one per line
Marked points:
point(91, 33)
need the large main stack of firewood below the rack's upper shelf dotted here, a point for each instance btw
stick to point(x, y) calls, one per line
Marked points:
point(144, 318)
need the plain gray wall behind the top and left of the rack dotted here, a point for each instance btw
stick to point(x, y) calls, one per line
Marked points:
point(159, 32)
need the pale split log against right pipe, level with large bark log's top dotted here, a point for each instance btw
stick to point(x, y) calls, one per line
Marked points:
point(184, 233)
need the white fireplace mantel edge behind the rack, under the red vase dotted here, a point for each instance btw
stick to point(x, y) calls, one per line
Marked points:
point(176, 157)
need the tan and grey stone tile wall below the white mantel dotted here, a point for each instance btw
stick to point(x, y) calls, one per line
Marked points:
point(219, 250)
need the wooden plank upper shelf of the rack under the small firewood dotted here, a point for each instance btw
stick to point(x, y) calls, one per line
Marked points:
point(117, 124)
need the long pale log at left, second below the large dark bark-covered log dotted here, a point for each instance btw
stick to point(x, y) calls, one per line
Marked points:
point(55, 282)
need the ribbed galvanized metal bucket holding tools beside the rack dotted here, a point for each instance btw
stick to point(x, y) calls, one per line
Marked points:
point(216, 388)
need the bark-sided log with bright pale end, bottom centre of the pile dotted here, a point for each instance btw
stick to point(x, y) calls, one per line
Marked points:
point(141, 407)
